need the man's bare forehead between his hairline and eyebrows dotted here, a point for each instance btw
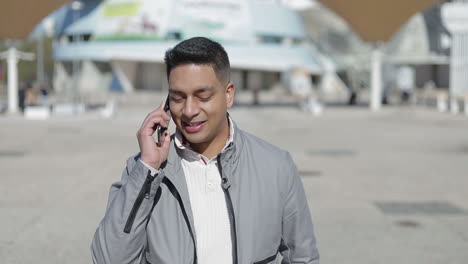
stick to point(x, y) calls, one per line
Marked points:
point(192, 76)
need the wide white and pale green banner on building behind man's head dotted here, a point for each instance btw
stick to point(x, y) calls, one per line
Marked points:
point(222, 20)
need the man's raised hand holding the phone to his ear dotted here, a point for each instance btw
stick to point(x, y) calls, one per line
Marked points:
point(152, 153)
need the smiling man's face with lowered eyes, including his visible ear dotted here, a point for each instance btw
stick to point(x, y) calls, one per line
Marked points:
point(199, 102)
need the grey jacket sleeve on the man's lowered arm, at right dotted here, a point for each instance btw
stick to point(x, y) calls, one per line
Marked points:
point(298, 243)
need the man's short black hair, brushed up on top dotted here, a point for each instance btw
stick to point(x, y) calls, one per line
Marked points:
point(200, 51)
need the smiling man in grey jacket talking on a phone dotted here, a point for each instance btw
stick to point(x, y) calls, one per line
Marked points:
point(211, 193)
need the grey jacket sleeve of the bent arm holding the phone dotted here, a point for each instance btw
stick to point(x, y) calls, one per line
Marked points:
point(121, 235)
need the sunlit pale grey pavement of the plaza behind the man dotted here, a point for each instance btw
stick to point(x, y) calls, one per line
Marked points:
point(386, 187)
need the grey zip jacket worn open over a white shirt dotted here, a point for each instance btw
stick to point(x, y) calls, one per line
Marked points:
point(149, 219)
